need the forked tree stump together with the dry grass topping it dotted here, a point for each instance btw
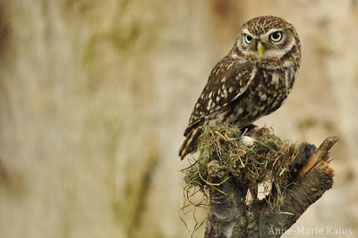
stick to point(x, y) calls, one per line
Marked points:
point(231, 167)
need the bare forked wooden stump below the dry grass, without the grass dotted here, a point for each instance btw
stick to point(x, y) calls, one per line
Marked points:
point(231, 217)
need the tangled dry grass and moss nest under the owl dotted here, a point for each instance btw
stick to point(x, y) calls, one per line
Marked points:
point(268, 158)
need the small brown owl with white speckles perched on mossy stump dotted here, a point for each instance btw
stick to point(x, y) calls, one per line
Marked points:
point(251, 81)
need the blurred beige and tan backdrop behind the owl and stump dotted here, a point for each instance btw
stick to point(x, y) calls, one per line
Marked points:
point(95, 95)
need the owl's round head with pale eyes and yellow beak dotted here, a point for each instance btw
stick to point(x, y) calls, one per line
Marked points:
point(267, 38)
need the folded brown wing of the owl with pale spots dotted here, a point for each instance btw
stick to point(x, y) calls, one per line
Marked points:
point(227, 81)
